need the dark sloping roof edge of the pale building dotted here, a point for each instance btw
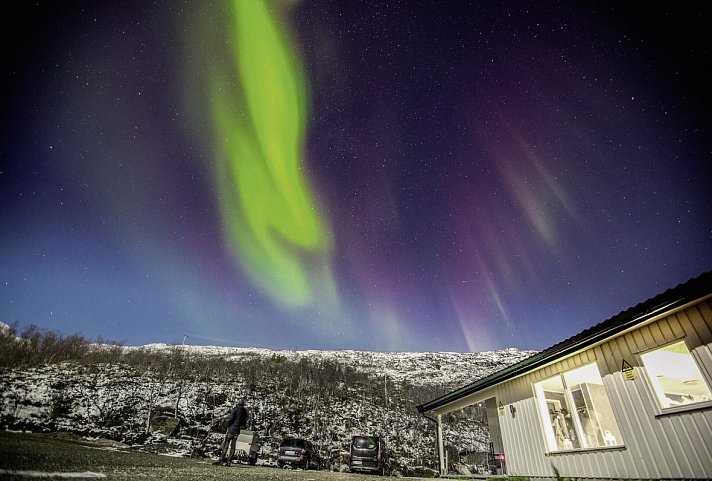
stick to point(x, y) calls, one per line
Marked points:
point(681, 295)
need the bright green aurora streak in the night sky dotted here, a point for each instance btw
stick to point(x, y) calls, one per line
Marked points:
point(270, 218)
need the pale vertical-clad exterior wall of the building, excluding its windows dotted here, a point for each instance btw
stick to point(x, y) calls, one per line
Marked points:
point(655, 445)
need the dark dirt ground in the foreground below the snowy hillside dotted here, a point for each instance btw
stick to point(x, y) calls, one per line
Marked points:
point(58, 456)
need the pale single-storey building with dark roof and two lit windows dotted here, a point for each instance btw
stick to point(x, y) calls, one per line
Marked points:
point(629, 398)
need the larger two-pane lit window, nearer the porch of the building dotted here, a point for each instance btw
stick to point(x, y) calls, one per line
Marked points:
point(576, 411)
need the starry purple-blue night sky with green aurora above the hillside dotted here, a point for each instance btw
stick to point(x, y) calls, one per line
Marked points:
point(381, 175)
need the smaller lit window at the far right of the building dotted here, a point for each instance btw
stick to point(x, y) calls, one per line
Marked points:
point(676, 378)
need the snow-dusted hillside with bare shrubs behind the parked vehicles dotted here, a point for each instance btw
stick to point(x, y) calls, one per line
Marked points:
point(326, 396)
